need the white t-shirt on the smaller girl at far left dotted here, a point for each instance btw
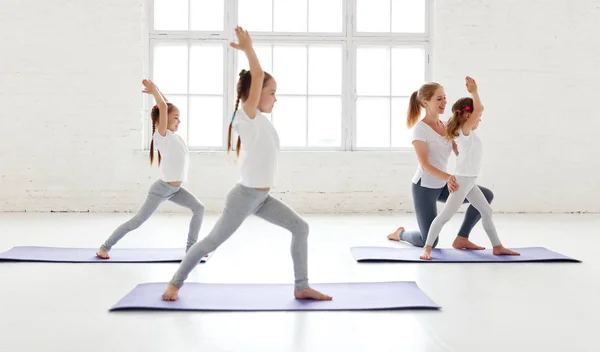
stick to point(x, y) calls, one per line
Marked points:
point(175, 159)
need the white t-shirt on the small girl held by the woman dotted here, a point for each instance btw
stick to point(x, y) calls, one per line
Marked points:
point(470, 150)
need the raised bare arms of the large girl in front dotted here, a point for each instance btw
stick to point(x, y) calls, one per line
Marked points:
point(256, 72)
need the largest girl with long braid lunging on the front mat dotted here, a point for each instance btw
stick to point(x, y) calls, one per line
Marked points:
point(260, 142)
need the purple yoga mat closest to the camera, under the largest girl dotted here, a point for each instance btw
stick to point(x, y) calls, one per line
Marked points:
point(277, 297)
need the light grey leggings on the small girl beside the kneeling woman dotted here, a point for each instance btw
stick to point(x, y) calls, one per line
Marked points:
point(467, 189)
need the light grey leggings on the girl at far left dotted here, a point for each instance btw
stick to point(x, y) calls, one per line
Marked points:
point(159, 192)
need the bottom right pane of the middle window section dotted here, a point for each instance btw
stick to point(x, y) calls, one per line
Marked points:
point(324, 122)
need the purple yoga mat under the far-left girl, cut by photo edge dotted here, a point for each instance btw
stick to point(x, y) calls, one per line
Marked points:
point(88, 255)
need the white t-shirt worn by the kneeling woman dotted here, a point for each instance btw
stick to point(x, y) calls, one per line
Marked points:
point(438, 152)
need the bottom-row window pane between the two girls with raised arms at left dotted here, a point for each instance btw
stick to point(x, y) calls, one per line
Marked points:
point(206, 121)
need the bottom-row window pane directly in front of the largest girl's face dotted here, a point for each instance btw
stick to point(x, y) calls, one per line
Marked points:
point(289, 118)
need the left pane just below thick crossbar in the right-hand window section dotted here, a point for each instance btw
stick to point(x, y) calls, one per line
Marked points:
point(373, 71)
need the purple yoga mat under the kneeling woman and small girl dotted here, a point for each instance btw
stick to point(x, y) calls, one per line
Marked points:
point(386, 254)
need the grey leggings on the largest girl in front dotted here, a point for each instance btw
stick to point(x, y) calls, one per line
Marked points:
point(240, 203)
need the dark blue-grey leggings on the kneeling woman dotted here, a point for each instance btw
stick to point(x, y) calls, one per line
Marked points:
point(425, 200)
